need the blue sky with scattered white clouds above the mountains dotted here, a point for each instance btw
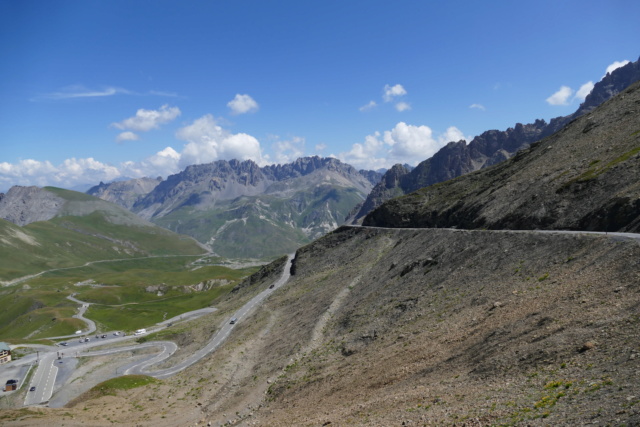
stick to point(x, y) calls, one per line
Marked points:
point(98, 90)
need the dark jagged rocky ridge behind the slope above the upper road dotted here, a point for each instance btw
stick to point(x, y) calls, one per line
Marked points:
point(491, 147)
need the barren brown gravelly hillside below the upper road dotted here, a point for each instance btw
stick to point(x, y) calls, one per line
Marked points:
point(385, 327)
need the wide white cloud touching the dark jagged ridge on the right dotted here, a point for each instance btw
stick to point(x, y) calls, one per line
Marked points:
point(403, 144)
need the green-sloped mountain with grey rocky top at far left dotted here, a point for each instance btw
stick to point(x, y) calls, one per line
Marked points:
point(46, 228)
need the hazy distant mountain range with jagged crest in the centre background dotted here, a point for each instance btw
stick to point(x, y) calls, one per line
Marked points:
point(243, 210)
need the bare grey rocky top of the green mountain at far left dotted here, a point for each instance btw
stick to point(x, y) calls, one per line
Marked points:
point(24, 205)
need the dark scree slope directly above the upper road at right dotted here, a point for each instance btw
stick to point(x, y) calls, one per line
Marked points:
point(585, 177)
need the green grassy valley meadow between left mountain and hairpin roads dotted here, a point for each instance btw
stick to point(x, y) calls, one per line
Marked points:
point(41, 309)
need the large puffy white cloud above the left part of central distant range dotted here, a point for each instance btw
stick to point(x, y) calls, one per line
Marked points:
point(207, 142)
